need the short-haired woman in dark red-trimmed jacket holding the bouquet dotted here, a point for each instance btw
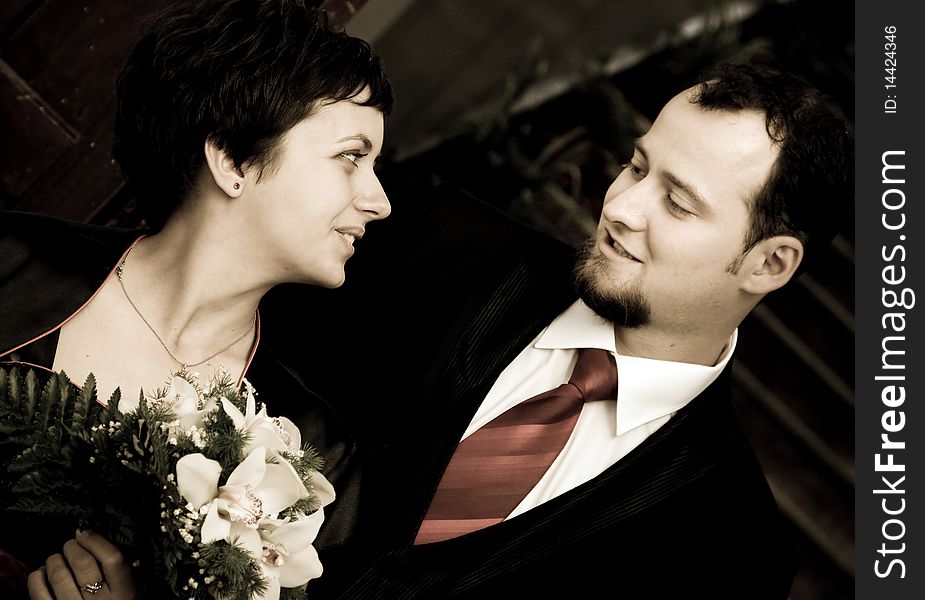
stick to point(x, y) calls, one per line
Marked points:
point(248, 131)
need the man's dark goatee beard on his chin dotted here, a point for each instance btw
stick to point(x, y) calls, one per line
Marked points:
point(623, 305)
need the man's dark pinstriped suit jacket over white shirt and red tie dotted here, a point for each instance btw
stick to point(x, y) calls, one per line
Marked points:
point(439, 299)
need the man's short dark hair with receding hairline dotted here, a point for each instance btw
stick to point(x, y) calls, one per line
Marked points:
point(810, 189)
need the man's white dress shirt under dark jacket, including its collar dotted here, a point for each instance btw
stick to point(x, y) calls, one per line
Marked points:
point(648, 394)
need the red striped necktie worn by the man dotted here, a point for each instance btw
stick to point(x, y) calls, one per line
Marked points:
point(493, 469)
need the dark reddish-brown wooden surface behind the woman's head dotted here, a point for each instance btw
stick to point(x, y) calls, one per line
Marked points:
point(58, 63)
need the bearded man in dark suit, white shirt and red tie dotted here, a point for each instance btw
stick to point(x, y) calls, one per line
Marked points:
point(460, 315)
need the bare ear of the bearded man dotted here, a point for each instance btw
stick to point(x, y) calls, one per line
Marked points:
point(770, 264)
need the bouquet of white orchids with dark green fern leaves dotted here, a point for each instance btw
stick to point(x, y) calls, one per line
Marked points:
point(206, 494)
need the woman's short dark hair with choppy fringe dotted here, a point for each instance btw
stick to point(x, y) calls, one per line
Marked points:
point(238, 72)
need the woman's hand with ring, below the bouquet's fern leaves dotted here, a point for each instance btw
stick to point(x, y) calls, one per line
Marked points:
point(90, 567)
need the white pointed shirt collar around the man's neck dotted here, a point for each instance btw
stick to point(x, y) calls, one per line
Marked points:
point(648, 388)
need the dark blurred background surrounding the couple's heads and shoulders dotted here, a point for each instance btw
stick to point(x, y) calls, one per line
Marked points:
point(530, 105)
